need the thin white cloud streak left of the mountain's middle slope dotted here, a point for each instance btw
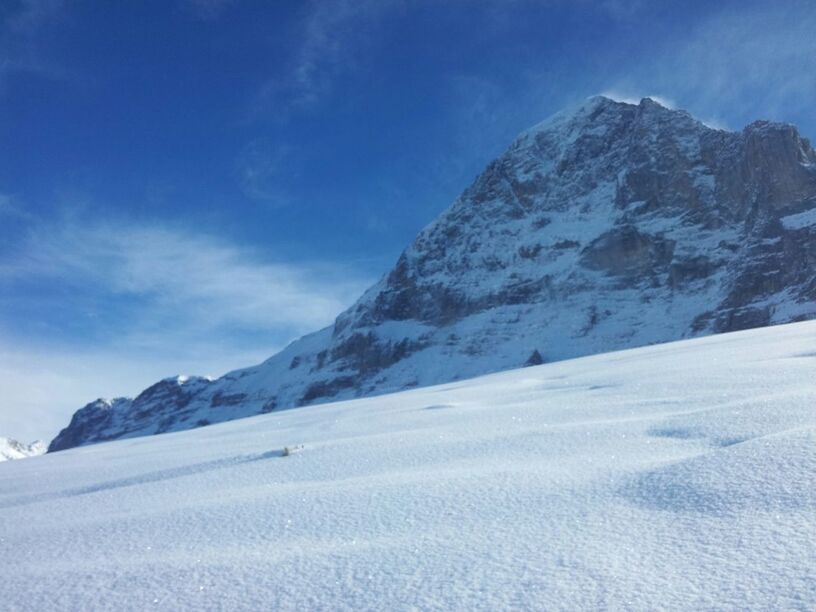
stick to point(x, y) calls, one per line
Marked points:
point(208, 281)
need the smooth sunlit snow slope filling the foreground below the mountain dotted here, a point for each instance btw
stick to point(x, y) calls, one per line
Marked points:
point(678, 476)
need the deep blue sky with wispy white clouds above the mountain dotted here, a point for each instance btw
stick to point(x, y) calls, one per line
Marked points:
point(187, 185)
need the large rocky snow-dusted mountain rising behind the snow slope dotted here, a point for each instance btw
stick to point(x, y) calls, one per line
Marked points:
point(609, 226)
